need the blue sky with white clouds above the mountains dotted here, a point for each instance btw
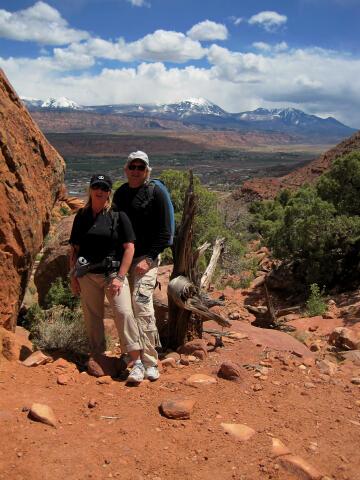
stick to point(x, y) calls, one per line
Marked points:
point(238, 54)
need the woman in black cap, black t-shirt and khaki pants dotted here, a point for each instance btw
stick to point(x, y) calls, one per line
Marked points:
point(105, 240)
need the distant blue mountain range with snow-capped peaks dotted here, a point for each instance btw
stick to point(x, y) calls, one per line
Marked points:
point(204, 115)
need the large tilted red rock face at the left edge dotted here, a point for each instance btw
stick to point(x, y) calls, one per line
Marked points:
point(31, 177)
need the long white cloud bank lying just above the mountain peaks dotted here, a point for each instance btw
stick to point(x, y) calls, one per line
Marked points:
point(315, 81)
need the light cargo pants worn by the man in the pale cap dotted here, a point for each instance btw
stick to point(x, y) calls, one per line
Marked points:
point(142, 288)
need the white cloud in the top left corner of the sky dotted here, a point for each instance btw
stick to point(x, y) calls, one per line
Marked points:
point(40, 23)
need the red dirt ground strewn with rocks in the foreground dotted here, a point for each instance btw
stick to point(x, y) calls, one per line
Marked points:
point(262, 405)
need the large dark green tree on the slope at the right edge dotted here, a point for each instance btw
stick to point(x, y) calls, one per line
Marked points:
point(317, 229)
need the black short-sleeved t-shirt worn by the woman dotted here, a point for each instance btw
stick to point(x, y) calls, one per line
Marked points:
point(102, 236)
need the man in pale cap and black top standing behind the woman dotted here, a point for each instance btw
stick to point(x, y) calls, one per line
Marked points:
point(152, 227)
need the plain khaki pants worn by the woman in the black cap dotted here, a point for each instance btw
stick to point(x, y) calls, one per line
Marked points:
point(93, 290)
